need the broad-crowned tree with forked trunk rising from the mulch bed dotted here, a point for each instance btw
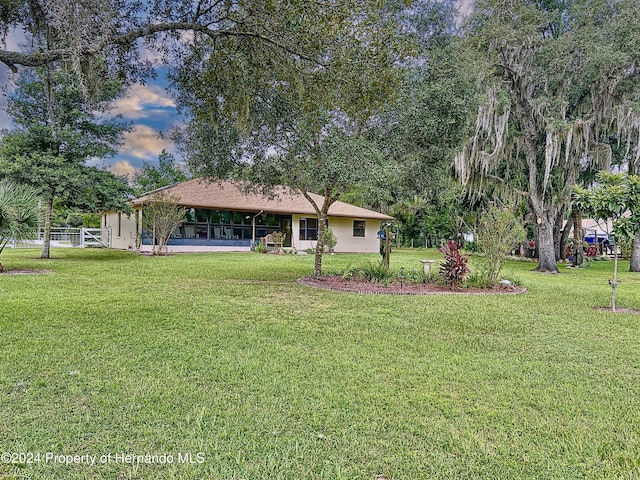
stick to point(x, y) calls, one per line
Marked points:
point(314, 135)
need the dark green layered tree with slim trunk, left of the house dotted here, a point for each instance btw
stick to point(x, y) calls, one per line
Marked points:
point(56, 133)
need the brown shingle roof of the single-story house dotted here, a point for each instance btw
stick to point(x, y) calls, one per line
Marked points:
point(227, 195)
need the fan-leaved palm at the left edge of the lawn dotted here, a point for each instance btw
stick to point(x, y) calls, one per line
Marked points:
point(20, 213)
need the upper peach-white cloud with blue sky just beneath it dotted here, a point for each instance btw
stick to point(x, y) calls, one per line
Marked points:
point(143, 102)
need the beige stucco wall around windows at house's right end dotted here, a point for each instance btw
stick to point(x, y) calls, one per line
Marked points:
point(343, 230)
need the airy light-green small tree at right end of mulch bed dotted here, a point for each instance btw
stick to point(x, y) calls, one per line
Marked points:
point(499, 231)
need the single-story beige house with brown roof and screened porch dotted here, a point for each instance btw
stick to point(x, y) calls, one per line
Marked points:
point(222, 216)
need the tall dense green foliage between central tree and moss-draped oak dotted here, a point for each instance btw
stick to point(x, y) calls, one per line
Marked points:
point(422, 130)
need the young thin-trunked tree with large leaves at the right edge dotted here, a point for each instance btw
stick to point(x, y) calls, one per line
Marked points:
point(615, 195)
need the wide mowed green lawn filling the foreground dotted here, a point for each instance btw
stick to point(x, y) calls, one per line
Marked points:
point(223, 355)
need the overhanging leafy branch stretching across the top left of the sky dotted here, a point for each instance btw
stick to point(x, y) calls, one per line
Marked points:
point(75, 32)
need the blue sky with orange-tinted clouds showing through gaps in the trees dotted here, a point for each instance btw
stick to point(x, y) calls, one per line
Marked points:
point(149, 109)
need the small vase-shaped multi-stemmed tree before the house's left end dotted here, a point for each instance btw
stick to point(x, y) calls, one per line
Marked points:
point(160, 217)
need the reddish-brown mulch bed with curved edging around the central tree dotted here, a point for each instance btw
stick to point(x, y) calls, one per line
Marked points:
point(358, 285)
